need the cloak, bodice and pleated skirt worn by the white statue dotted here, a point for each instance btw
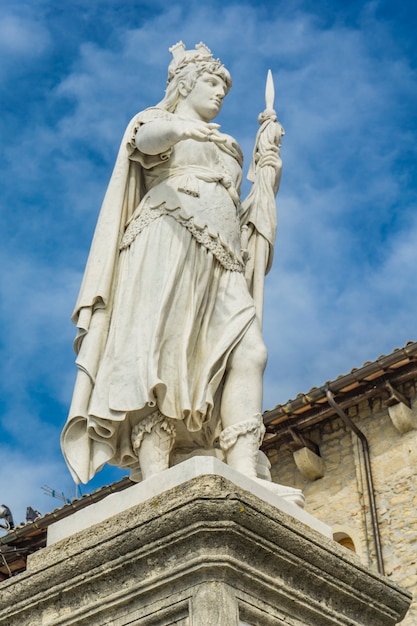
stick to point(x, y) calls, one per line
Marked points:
point(158, 320)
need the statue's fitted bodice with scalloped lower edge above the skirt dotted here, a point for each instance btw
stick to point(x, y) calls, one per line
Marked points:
point(197, 184)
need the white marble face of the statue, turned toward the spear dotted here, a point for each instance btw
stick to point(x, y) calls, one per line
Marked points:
point(206, 97)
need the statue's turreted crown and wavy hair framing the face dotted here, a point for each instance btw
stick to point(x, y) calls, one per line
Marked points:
point(186, 66)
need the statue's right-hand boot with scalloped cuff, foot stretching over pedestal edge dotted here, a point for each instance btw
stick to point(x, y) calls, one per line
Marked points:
point(240, 442)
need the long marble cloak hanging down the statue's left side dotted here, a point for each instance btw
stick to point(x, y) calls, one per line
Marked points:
point(93, 308)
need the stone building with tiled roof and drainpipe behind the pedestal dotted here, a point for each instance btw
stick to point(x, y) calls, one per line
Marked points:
point(351, 446)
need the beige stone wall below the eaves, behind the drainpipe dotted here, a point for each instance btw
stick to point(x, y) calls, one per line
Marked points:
point(340, 497)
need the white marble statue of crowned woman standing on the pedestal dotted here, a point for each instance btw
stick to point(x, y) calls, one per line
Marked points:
point(170, 350)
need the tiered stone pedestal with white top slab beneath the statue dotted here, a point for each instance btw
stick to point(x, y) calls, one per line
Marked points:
point(212, 549)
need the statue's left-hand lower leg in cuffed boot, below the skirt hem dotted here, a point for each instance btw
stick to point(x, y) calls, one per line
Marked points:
point(152, 440)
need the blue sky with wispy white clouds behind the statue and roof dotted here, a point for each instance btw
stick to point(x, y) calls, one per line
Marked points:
point(342, 289)
